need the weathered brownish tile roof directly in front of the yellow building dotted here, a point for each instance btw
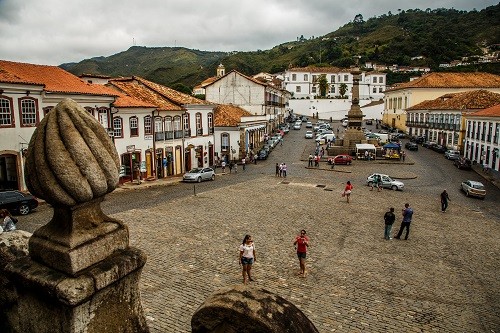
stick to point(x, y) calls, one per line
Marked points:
point(469, 100)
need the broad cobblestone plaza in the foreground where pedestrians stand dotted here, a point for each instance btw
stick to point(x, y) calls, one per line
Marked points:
point(443, 279)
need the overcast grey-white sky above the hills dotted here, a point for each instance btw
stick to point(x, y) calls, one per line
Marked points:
point(52, 32)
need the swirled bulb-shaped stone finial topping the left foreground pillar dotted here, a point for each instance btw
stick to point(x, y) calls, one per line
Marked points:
point(71, 158)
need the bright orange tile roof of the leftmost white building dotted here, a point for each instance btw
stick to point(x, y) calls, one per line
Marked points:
point(52, 78)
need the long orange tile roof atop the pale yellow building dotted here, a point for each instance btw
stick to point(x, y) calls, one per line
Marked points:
point(452, 80)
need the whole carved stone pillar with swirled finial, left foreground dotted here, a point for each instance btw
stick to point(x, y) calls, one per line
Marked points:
point(81, 275)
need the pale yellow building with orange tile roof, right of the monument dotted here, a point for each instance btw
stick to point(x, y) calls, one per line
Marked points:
point(430, 86)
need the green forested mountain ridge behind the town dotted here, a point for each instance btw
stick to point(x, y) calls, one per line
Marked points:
point(435, 36)
